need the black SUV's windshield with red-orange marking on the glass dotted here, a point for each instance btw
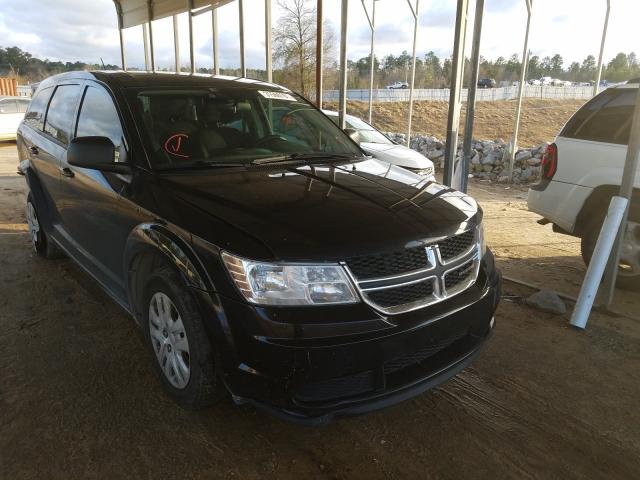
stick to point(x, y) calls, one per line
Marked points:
point(235, 126)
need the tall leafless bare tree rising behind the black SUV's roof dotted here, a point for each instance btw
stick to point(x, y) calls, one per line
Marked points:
point(295, 41)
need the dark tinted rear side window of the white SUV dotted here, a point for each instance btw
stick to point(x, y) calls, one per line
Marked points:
point(606, 118)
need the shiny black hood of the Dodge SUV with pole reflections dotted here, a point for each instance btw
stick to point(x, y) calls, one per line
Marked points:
point(306, 213)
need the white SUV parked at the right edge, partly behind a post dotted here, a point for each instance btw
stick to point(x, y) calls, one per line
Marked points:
point(582, 170)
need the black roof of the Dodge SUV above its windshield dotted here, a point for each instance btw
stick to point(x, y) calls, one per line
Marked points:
point(122, 79)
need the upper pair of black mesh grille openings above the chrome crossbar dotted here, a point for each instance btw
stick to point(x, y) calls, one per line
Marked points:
point(408, 260)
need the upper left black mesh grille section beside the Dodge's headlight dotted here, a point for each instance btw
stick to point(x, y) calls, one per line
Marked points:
point(388, 264)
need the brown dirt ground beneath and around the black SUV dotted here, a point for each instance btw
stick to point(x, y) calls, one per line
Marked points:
point(79, 399)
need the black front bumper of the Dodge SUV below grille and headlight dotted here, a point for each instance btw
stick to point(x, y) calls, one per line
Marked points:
point(314, 371)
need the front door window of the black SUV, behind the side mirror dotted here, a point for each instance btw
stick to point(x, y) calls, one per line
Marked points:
point(99, 117)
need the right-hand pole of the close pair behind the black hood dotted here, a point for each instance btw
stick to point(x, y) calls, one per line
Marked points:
point(471, 100)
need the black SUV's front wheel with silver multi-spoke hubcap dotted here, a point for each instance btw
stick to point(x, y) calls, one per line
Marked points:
point(186, 343)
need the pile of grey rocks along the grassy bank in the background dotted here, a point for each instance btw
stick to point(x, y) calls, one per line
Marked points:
point(486, 158)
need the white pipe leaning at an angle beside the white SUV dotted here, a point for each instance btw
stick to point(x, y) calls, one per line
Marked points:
point(598, 262)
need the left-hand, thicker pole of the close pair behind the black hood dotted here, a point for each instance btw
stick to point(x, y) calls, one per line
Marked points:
point(453, 118)
